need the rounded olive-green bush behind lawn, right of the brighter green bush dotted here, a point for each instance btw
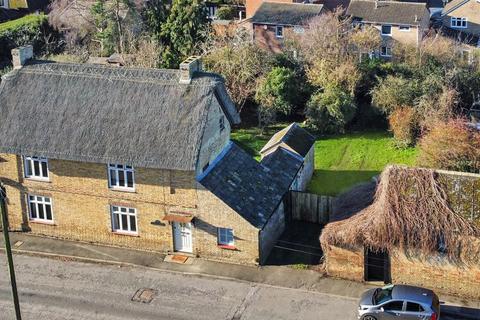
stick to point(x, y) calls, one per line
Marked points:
point(330, 111)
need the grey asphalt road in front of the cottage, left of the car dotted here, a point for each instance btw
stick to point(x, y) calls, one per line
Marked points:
point(53, 289)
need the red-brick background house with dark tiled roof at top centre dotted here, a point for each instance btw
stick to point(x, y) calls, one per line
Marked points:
point(274, 22)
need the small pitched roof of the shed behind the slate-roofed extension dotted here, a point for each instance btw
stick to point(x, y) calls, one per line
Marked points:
point(293, 136)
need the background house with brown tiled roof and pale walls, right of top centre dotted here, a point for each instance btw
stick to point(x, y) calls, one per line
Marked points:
point(397, 22)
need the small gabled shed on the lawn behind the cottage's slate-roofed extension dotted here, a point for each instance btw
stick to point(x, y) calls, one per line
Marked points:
point(300, 142)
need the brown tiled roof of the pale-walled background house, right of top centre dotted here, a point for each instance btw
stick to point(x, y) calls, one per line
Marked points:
point(394, 12)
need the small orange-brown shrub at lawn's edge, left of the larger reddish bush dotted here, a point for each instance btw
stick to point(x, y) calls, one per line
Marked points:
point(404, 125)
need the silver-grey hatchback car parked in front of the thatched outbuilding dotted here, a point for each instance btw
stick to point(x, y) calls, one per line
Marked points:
point(399, 302)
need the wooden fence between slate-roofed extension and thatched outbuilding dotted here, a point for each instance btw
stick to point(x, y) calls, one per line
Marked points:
point(310, 207)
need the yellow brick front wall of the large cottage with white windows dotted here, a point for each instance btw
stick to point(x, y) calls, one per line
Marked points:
point(81, 203)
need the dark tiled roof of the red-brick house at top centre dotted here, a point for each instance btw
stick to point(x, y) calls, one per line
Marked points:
point(286, 13)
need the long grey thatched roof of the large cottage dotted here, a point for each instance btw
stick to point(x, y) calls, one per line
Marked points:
point(102, 114)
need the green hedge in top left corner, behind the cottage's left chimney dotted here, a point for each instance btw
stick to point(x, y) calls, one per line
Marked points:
point(31, 29)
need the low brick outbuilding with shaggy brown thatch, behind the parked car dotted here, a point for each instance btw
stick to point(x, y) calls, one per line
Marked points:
point(423, 228)
